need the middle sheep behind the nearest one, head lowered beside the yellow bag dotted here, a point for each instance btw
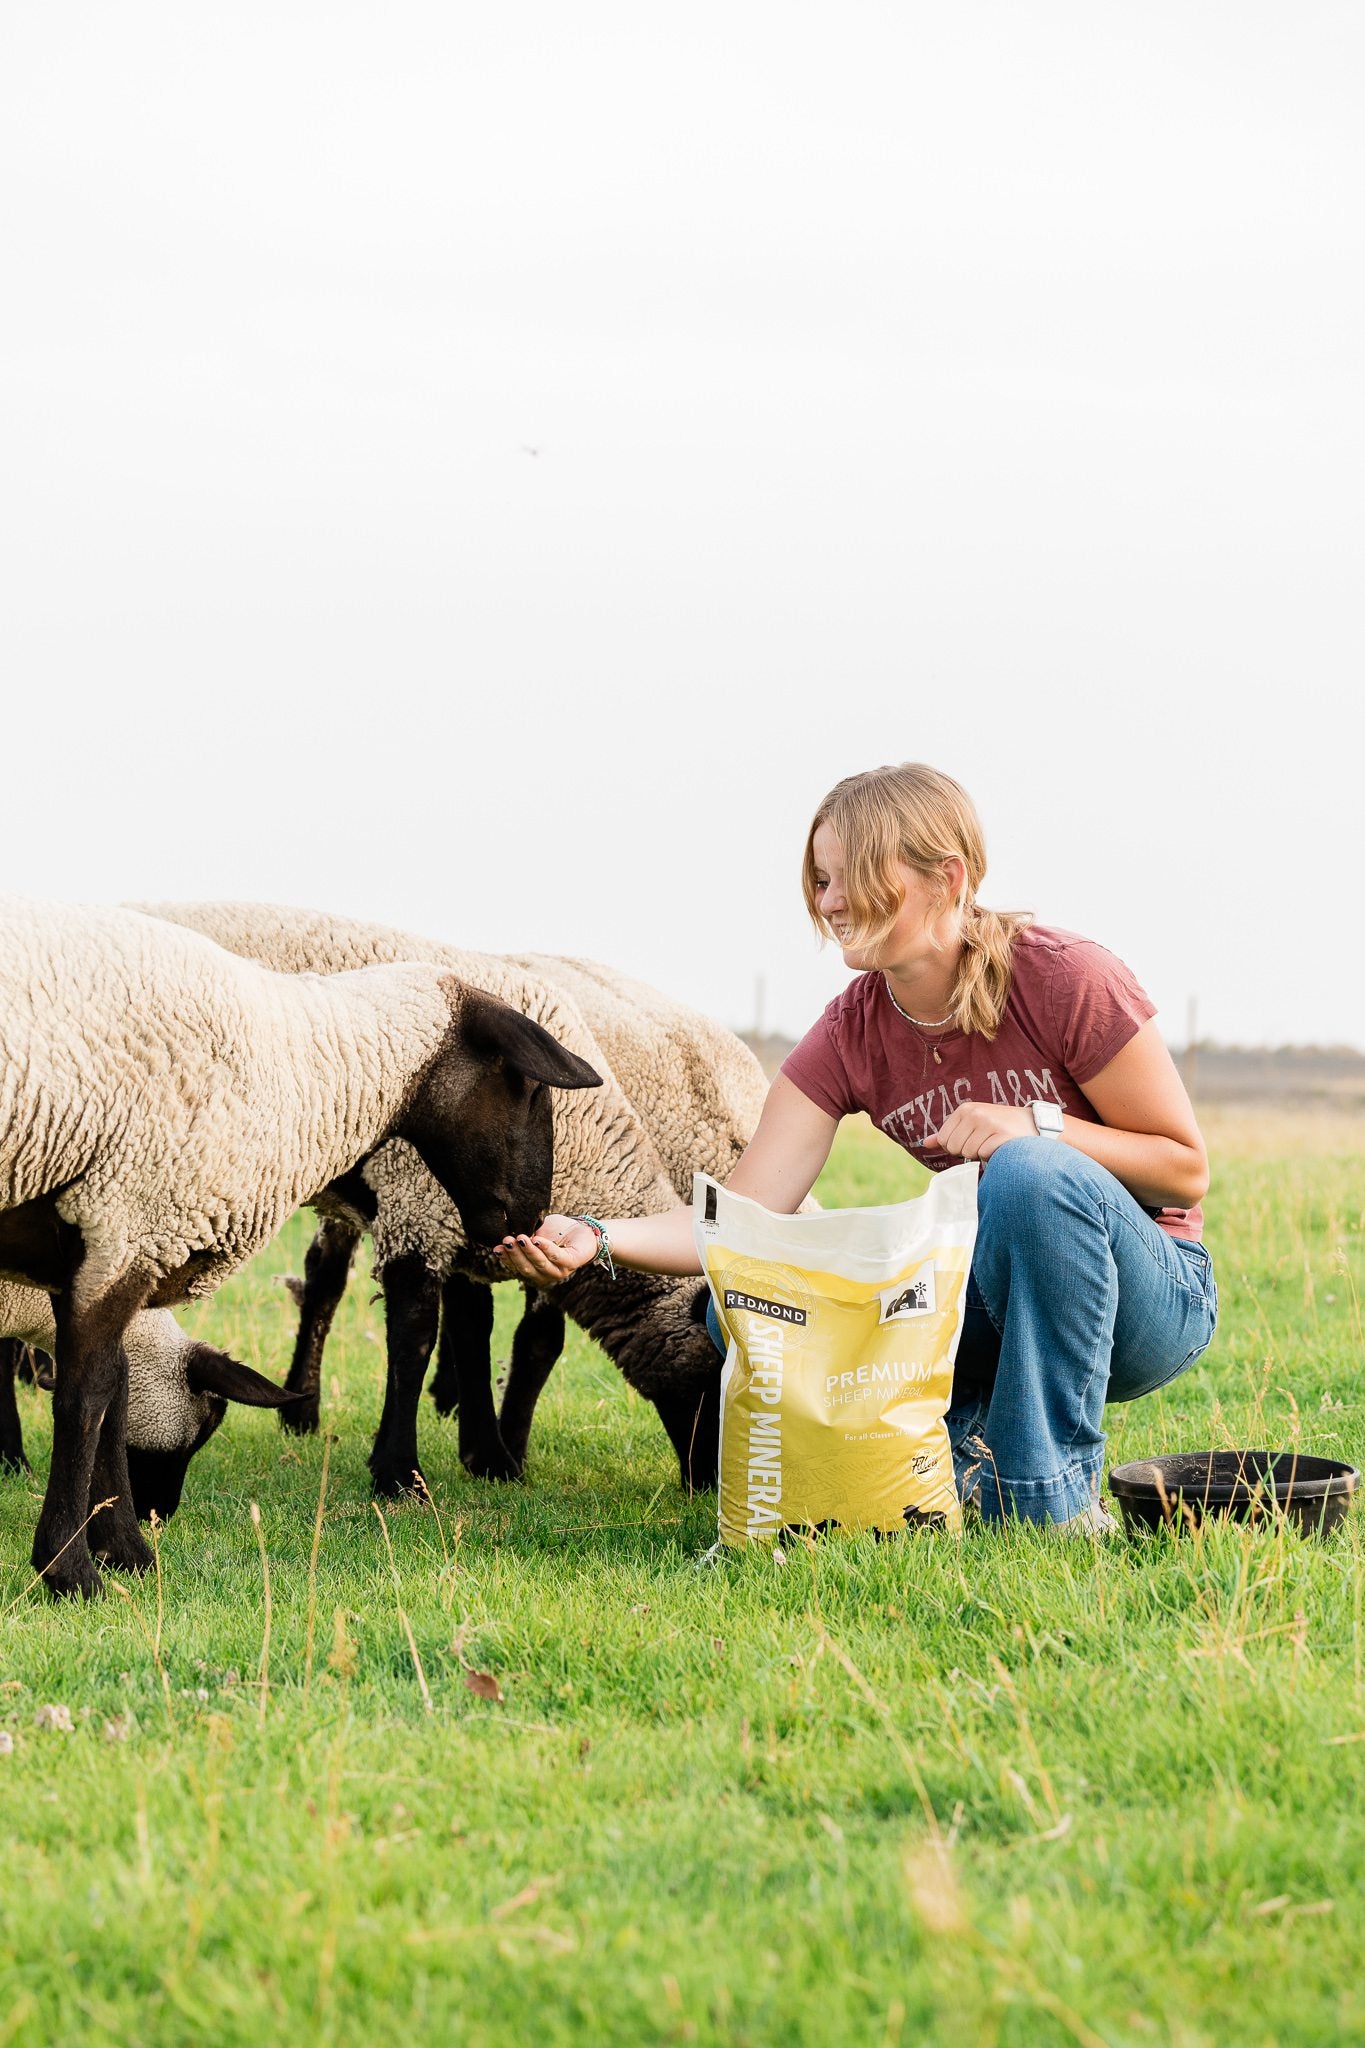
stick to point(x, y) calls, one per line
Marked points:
point(605, 1160)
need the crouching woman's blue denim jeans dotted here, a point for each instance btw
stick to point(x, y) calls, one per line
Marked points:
point(1075, 1299)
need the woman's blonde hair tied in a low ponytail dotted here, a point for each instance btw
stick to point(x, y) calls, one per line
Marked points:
point(924, 818)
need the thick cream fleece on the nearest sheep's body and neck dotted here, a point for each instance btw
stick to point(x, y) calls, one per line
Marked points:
point(187, 1101)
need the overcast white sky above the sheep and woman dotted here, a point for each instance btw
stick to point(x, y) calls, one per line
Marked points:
point(971, 384)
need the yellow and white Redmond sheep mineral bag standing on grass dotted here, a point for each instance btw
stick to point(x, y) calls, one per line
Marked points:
point(842, 1338)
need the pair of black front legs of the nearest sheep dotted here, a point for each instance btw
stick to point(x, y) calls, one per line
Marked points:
point(91, 1394)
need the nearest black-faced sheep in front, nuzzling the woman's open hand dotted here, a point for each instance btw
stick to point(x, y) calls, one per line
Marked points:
point(165, 1107)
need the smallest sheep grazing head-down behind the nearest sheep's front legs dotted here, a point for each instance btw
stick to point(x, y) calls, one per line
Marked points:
point(179, 1394)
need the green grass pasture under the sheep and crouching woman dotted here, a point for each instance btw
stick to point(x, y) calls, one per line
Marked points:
point(525, 1770)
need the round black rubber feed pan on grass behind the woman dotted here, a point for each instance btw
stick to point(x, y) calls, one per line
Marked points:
point(1239, 1484)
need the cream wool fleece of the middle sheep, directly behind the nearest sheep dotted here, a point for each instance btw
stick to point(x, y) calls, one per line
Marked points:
point(605, 1156)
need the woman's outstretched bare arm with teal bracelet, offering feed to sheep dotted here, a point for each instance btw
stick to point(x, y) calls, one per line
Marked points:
point(779, 1168)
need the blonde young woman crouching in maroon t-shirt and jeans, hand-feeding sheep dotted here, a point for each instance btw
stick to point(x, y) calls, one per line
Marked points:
point(981, 1035)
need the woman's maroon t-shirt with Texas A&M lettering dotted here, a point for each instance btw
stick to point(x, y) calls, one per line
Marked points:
point(1071, 1009)
